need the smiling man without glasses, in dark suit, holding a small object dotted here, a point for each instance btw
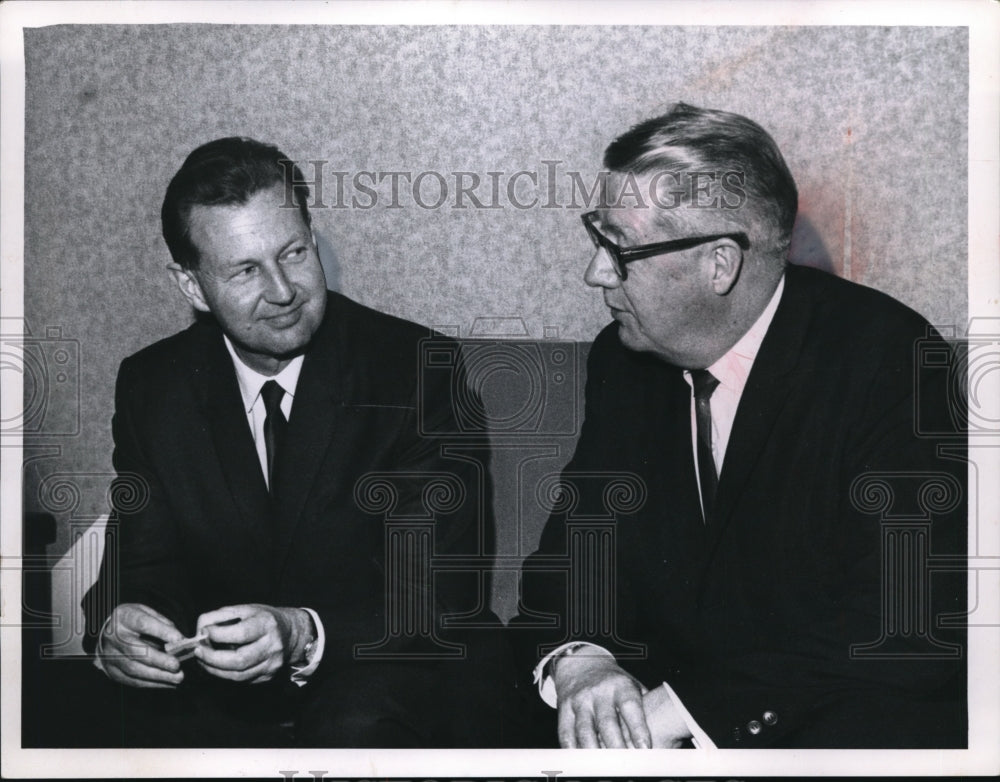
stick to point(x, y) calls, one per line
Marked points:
point(289, 492)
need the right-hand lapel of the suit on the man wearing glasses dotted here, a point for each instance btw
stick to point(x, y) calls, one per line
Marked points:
point(763, 397)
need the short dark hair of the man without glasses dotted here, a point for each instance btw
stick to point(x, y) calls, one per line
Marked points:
point(227, 171)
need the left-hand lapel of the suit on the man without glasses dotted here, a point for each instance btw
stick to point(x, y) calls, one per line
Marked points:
point(234, 447)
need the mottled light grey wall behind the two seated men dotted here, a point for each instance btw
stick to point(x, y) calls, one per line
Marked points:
point(872, 121)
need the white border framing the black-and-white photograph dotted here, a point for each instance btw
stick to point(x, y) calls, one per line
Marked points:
point(983, 757)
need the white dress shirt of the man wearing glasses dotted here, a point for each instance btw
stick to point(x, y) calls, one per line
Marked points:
point(732, 371)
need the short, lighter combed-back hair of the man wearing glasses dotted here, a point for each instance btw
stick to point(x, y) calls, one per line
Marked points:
point(688, 139)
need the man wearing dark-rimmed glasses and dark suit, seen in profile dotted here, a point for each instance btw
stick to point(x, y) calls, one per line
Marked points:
point(768, 583)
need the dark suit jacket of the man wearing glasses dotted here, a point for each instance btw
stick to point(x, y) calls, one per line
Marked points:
point(756, 613)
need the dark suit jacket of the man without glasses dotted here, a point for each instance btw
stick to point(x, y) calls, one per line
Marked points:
point(200, 532)
